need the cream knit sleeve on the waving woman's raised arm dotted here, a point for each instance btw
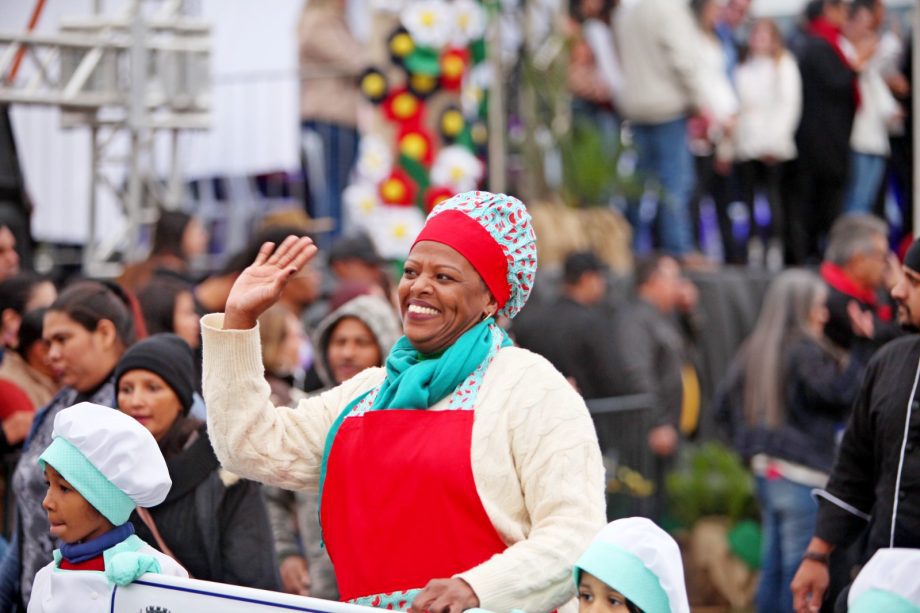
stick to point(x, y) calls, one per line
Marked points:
point(252, 437)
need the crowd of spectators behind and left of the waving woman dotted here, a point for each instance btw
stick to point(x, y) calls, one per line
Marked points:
point(134, 343)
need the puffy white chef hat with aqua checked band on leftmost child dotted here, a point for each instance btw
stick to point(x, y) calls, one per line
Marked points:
point(110, 458)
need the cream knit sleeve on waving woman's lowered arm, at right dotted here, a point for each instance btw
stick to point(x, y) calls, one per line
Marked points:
point(560, 474)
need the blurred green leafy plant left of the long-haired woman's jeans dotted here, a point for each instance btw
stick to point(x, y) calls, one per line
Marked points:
point(710, 480)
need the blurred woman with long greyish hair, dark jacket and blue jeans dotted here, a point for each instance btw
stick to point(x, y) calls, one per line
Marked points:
point(783, 404)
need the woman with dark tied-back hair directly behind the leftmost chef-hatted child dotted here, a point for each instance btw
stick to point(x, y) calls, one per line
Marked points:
point(88, 327)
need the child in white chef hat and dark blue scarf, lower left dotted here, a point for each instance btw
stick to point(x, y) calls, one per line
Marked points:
point(100, 465)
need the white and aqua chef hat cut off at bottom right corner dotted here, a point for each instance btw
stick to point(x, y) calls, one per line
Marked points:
point(888, 582)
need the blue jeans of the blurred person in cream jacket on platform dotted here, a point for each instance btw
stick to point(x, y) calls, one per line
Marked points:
point(664, 156)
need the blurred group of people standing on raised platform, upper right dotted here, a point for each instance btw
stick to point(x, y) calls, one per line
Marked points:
point(784, 132)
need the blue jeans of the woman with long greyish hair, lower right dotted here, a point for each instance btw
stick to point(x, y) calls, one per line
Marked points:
point(788, 515)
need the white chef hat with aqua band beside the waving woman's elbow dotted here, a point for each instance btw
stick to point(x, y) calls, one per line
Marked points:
point(641, 561)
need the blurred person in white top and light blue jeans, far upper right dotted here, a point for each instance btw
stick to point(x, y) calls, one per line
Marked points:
point(878, 111)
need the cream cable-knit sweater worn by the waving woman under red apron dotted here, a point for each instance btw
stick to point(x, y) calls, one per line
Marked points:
point(535, 457)
